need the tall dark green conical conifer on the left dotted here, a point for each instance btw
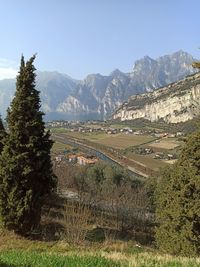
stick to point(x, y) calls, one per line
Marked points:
point(25, 165)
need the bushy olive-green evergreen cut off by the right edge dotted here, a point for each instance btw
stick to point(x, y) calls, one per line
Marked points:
point(178, 203)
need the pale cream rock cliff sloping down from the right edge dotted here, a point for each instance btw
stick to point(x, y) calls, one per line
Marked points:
point(177, 102)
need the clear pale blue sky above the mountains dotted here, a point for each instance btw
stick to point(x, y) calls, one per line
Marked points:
point(79, 37)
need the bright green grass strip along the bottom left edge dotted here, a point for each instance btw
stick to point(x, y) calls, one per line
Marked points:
point(33, 259)
